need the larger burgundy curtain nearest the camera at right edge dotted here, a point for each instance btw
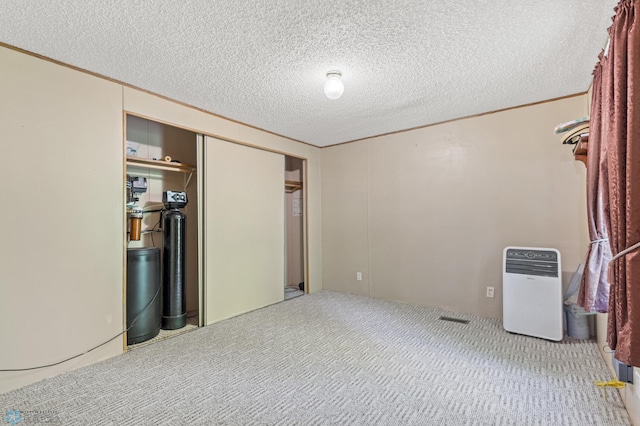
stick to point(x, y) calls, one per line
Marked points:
point(621, 193)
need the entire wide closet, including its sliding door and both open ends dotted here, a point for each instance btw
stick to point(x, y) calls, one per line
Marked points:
point(166, 271)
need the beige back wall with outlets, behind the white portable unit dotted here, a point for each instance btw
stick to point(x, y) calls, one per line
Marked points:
point(425, 214)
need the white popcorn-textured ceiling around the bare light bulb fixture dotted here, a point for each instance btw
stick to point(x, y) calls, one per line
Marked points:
point(263, 62)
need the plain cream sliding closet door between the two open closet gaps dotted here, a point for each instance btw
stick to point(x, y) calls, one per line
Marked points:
point(244, 229)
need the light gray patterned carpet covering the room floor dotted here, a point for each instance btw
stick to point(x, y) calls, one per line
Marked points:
point(334, 359)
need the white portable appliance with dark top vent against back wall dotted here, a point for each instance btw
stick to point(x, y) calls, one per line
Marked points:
point(532, 292)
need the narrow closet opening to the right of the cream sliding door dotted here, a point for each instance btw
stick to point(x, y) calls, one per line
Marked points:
point(294, 228)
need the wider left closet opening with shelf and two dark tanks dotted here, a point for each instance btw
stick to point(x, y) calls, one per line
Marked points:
point(162, 291)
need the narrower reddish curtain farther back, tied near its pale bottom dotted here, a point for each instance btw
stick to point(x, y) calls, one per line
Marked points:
point(594, 288)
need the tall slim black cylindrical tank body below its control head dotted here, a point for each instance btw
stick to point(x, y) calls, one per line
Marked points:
point(174, 301)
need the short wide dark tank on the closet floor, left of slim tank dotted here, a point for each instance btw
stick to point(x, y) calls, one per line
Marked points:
point(143, 296)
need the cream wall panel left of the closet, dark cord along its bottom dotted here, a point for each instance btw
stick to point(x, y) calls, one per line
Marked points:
point(61, 251)
